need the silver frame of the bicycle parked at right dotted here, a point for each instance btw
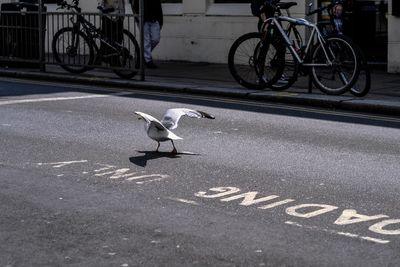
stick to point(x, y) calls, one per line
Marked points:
point(315, 34)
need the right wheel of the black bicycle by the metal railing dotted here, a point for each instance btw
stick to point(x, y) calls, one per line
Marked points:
point(128, 57)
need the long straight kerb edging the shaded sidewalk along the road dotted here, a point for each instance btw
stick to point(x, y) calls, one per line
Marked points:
point(336, 102)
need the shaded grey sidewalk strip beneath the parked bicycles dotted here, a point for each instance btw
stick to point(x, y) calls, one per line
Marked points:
point(215, 79)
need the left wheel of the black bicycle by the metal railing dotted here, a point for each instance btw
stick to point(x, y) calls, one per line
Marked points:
point(73, 50)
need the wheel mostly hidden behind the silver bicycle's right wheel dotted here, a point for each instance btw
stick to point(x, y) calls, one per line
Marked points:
point(363, 83)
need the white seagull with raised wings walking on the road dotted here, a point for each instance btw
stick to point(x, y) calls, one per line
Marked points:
point(160, 130)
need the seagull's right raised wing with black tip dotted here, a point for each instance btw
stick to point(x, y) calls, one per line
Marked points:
point(172, 116)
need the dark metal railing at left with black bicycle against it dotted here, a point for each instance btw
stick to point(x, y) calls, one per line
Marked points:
point(78, 42)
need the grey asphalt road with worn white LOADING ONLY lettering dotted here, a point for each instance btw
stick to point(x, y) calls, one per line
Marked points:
point(261, 185)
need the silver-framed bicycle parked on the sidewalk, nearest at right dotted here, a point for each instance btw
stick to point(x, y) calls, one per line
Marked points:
point(318, 54)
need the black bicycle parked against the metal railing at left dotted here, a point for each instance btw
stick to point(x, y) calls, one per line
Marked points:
point(76, 50)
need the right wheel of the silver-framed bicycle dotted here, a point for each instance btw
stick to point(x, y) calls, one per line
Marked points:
point(338, 77)
